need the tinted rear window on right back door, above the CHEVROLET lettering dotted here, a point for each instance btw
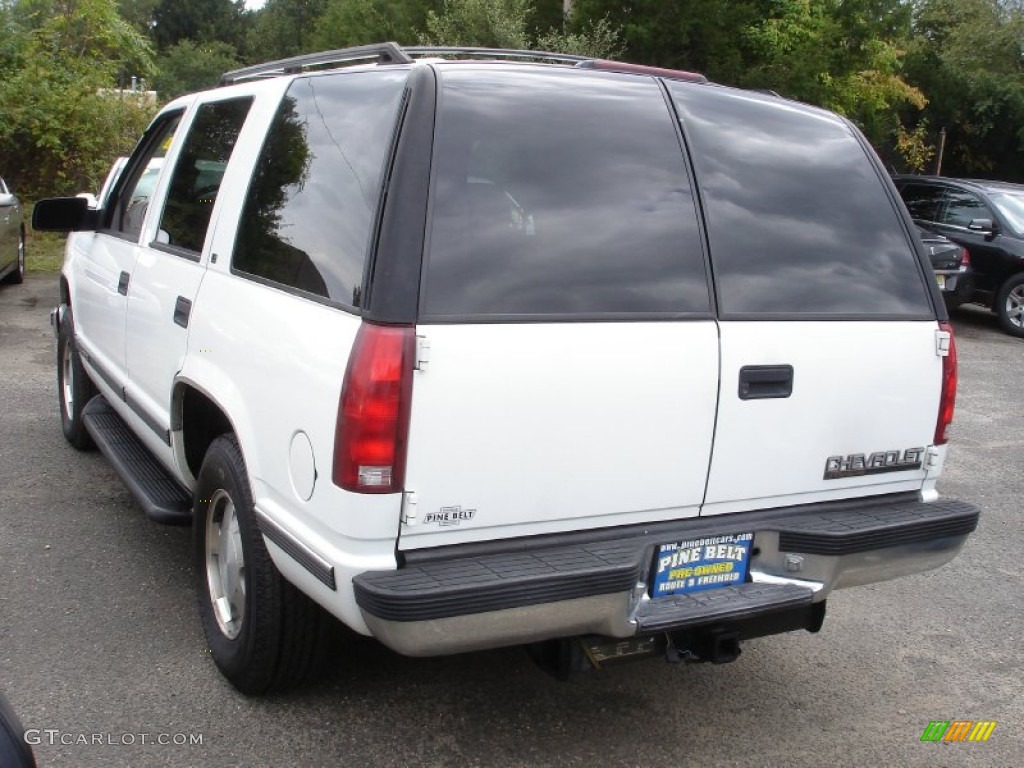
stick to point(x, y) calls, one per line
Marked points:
point(798, 220)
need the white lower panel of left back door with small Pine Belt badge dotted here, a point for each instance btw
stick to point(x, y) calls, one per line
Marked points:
point(526, 430)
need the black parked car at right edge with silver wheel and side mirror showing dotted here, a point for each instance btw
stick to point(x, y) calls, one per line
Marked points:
point(988, 219)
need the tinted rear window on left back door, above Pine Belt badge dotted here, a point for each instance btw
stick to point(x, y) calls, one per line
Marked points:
point(560, 195)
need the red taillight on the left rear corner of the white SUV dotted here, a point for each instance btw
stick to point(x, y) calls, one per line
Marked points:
point(373, 413)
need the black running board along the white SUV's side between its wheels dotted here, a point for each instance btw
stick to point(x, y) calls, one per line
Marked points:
point(161, 497)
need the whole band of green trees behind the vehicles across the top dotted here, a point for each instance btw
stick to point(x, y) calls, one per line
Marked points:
point(903, 70)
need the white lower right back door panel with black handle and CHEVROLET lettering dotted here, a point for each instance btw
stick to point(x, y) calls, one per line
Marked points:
point(860, 419)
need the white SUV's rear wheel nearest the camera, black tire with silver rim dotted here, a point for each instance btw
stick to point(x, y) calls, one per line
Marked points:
point(267, 635)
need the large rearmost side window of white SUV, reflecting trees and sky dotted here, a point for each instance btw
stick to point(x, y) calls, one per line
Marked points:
point(310, 212)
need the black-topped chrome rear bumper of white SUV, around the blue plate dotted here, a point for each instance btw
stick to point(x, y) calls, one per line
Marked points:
point(483, 596)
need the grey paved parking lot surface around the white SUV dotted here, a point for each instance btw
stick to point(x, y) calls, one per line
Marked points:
point(101, 643)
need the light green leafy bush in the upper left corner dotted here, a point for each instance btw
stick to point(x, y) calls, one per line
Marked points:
point(64, 121)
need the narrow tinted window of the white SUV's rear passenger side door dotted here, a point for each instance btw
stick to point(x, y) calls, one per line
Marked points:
point(199, 172)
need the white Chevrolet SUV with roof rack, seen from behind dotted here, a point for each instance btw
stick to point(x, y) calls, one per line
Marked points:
point(544, 351)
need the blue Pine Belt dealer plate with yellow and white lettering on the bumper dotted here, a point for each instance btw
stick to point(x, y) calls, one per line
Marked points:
point(704, 564)
